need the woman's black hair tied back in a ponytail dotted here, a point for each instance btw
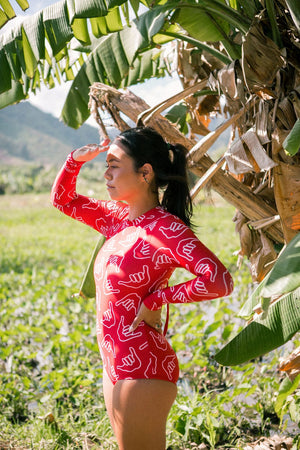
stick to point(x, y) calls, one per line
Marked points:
point(168, 161)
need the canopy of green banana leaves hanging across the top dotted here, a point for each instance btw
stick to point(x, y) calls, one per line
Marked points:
point(109, 52)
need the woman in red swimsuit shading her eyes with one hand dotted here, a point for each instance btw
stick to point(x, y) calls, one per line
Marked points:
point(147, 238)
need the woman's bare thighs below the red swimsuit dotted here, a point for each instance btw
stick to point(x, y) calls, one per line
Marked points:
point(138, 411)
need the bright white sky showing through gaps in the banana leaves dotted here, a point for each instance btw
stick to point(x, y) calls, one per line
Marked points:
point(51, 101)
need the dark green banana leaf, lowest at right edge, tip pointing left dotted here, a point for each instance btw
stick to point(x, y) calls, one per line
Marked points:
point(264, 335)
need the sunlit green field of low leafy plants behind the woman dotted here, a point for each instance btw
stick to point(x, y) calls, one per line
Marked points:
point(50, 369)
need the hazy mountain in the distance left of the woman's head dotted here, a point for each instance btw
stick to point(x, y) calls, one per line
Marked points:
point(29, 135)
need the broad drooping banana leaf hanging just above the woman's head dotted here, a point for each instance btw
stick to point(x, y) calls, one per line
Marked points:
point(110, 63)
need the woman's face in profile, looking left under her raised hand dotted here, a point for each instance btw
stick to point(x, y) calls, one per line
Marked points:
point(123, 182)
